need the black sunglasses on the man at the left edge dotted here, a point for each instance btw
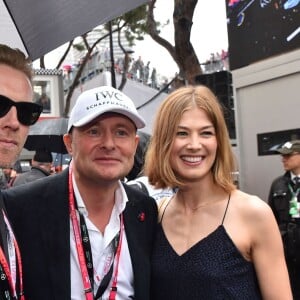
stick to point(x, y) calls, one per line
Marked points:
point(27, 112)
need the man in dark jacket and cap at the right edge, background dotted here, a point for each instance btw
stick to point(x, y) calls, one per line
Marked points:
point(284, 199)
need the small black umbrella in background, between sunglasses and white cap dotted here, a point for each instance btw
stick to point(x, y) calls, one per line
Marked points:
point(48, 134)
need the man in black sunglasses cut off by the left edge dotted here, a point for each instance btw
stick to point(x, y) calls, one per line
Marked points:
point(17, 113)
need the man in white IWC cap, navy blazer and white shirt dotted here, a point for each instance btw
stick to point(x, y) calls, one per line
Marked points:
point(83, 233)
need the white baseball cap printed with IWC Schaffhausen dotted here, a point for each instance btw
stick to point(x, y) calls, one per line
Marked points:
point(95, 102)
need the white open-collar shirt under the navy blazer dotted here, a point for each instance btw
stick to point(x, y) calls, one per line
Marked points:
point(102, 251)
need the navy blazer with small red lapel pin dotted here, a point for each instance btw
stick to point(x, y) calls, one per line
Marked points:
point(39, 213)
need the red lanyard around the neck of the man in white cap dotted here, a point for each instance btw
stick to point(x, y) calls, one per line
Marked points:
point(88, 289)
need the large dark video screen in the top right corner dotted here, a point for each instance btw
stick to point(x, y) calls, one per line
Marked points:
point(258, 29)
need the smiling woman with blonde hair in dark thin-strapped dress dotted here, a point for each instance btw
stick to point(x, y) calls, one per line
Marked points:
point(213, 240)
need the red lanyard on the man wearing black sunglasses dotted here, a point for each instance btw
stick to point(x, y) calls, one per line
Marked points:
point(5, 265)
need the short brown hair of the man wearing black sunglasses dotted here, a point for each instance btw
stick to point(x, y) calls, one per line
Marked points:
point(16, 59)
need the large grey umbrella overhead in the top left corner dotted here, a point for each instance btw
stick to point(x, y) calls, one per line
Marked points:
point(38, 27)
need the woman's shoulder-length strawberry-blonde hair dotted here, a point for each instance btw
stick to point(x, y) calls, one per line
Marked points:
point(157, 162)
